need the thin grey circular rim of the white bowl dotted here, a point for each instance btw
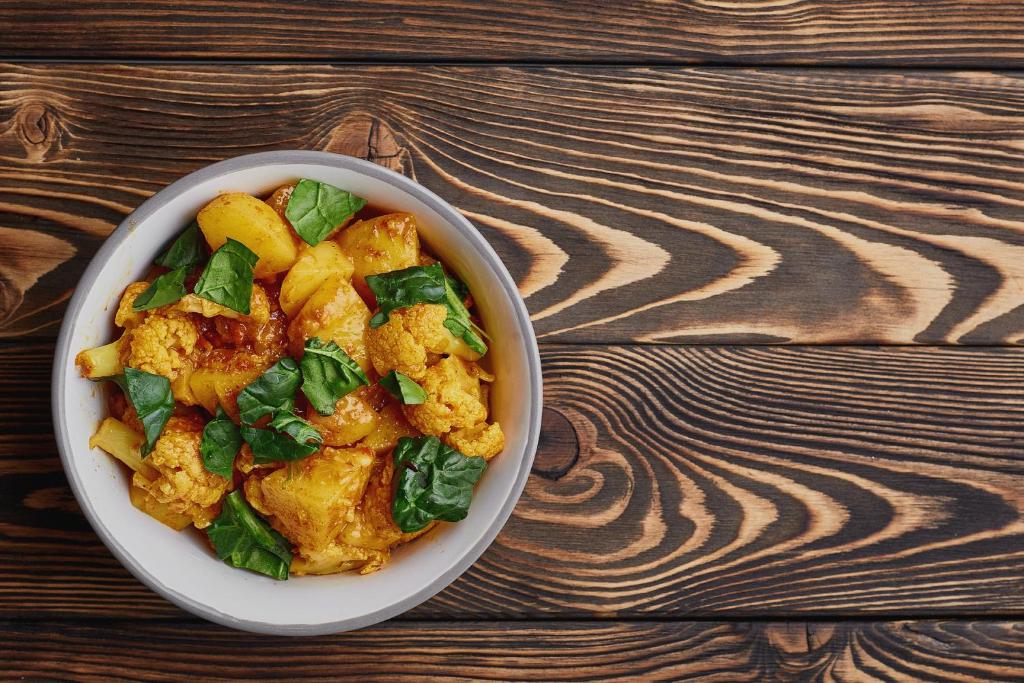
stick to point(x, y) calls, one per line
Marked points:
point(463, 560)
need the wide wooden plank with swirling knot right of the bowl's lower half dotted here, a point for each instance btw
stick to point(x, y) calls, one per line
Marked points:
point(671, 482)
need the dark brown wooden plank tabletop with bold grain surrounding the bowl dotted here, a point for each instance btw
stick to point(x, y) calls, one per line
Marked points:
point(775, 252)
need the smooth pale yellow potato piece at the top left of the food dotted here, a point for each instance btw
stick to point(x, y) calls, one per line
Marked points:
point(255, 225)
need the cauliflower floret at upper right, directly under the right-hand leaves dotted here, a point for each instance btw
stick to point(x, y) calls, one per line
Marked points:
point(412, 339)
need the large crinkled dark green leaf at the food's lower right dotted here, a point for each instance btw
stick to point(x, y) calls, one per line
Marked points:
point(436, 482)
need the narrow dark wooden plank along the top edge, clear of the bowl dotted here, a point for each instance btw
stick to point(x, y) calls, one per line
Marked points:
point(796, 32)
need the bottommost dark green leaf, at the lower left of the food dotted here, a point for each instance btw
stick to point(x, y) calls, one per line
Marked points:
point(244, 541)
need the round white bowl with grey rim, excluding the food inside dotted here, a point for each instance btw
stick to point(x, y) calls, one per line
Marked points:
point(181, 567)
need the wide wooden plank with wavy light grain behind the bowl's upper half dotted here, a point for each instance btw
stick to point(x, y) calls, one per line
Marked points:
point(631, 204)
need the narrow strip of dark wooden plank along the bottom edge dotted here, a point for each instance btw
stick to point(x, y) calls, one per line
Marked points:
point(523, 652)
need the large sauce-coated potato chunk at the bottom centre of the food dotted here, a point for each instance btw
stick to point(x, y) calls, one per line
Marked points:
point(312, 501)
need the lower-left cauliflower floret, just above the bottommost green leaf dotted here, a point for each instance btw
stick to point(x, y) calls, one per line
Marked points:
point(175, 474)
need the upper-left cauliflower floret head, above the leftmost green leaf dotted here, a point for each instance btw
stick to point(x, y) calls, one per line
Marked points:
point(160, 345)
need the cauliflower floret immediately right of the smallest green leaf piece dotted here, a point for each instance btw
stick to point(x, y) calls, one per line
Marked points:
point(454, 399)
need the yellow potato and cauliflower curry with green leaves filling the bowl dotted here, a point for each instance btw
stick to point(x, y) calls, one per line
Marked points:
point(302, 379)
